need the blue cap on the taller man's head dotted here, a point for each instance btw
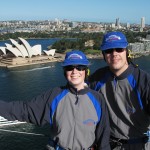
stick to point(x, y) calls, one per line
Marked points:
point(114, 40)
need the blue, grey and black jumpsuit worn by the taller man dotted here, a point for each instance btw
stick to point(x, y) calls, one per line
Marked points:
point(128, 100)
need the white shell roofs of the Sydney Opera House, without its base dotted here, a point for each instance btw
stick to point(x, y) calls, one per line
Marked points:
point(22, 48)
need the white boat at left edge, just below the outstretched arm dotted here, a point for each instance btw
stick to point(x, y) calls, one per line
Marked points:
point(5, 122)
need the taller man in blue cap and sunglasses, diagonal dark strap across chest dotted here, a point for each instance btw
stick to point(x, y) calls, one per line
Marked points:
point(126, 89)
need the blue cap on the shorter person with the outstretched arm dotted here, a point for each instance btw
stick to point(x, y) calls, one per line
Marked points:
point(75, 57)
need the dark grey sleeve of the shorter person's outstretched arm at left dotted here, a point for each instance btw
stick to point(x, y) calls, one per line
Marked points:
point(35, 111)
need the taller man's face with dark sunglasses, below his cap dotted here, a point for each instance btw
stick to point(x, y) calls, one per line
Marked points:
point(116, 59)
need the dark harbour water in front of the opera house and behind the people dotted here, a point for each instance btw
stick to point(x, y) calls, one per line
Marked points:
point(24, 83)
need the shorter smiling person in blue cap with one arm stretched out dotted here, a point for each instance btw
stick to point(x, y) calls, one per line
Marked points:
point(77, 115)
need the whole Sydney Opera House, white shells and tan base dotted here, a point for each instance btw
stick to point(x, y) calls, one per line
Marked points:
point(22, 53)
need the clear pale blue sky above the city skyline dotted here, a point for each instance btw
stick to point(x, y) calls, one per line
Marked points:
point(128, 11)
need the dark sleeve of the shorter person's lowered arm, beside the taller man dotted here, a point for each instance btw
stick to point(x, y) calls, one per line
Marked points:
point(103, 129)
